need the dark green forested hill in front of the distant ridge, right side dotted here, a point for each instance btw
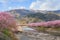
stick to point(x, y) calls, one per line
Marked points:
point(45, 17)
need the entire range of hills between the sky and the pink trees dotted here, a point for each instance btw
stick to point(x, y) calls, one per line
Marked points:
point(35, 15)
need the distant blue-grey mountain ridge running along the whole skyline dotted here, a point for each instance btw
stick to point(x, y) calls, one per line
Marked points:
point(25, 11)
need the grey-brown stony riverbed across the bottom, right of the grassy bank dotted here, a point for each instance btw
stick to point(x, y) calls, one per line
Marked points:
point(37, 36)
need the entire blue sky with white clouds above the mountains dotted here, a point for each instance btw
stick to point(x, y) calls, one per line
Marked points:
point(30, 4)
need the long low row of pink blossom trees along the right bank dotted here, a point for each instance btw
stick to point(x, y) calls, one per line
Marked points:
point(55, 23)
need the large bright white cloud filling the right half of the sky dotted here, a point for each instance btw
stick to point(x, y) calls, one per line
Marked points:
point(45, 5)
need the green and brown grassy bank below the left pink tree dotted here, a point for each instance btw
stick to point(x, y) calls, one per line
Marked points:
point(7, 35)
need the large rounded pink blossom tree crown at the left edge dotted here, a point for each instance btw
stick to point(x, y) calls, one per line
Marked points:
point(7, 20)
